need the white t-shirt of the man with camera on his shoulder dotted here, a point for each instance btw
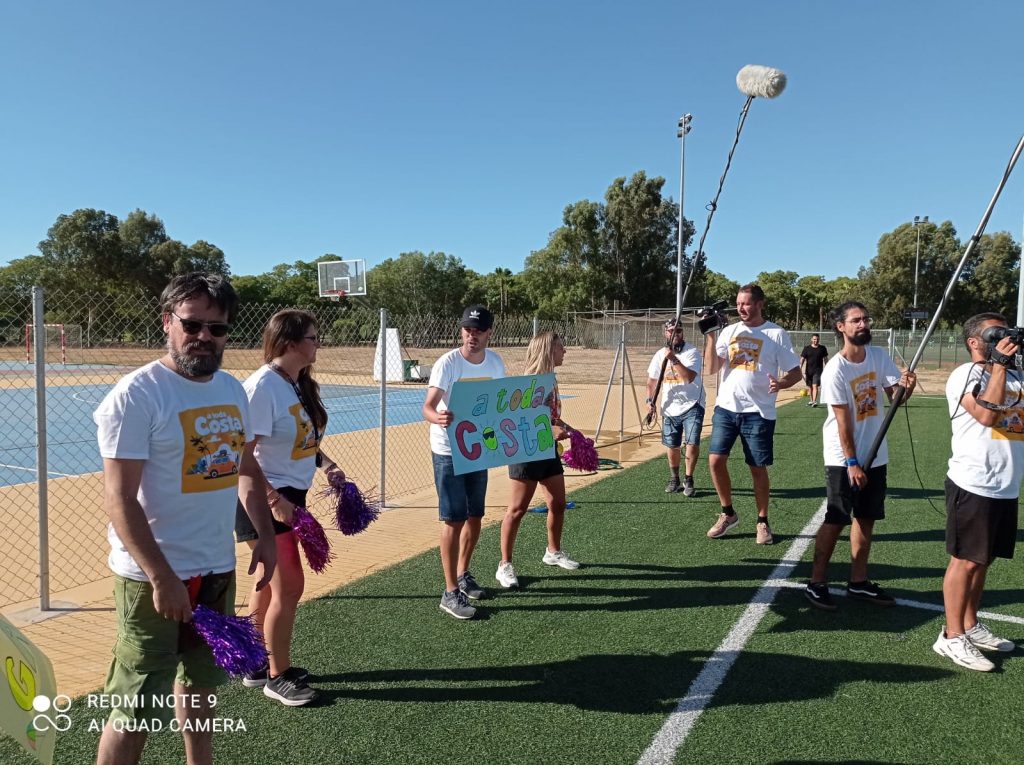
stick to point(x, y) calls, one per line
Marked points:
point(752, 354)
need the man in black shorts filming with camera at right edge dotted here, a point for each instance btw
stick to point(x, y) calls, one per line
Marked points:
point(983, 484)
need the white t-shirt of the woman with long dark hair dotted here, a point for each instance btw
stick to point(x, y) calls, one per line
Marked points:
point(287, 449)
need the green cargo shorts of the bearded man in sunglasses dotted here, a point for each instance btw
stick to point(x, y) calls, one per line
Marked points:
point(153, 653)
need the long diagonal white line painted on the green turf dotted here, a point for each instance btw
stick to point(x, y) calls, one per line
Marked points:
point(681, 721)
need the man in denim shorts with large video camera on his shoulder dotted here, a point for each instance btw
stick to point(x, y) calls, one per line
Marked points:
point(750, 355)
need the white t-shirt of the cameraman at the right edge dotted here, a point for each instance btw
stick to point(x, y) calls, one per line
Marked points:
point(987, 461)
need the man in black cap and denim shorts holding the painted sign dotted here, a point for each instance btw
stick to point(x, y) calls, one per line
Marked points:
point(461, 497)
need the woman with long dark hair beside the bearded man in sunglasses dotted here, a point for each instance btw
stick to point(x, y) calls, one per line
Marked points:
point(288, 421)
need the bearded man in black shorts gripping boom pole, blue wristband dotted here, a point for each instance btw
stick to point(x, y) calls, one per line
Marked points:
point(852, 387)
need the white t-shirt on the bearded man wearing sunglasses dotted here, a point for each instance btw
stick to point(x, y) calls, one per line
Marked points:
point(191, 436)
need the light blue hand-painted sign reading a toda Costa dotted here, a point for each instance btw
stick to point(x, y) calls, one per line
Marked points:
point(501, 422)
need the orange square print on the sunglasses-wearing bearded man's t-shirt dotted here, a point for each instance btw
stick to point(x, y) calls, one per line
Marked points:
point(215, 441)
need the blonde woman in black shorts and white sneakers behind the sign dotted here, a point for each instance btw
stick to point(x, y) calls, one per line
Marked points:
point(545, 353)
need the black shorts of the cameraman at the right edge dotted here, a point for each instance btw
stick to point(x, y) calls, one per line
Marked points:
point(979, 529)
